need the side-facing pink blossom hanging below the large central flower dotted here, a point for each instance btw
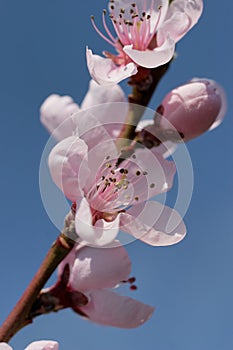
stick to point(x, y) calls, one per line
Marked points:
point(95, 272)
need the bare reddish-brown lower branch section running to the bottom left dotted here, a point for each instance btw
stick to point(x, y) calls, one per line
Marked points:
point(19, 316)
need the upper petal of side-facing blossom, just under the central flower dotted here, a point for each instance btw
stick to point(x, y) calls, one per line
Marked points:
point(97, 268)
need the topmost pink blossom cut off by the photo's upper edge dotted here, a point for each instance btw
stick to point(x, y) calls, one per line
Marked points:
point(146, 33)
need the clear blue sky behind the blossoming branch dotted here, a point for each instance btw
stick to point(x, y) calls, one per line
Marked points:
point(42, 47)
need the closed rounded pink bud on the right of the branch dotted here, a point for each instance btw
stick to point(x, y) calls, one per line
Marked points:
point(194, 108)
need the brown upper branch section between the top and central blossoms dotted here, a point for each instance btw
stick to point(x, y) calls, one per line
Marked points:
point(141, 94)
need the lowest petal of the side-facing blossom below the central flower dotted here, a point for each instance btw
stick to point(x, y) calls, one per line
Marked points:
point(108, 308)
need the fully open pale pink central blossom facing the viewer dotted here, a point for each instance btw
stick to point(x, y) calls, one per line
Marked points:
point(112, 196)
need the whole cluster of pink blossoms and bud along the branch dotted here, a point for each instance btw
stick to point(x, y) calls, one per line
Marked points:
point(110, 164)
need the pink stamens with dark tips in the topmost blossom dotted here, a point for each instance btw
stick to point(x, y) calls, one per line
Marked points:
point(132, 26)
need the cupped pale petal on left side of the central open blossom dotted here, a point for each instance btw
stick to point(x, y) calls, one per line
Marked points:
point(68, 166)
